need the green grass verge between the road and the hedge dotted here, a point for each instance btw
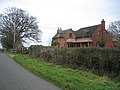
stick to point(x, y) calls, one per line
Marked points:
point(66, 78)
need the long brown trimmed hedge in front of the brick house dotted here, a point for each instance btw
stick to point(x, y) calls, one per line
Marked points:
point(97, 60)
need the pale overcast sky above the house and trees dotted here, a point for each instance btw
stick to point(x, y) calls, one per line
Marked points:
point(66, 14)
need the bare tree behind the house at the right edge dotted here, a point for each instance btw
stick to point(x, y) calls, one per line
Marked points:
point(114, 28)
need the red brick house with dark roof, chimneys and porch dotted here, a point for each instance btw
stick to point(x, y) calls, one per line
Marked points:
point(92, 36)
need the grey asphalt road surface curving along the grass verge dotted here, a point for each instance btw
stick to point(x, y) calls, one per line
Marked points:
point(15, 77)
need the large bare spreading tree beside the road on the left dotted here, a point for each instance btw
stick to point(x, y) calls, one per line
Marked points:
point(18, 24)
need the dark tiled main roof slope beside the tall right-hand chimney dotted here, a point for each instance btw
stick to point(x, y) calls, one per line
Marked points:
point(89, 30)
